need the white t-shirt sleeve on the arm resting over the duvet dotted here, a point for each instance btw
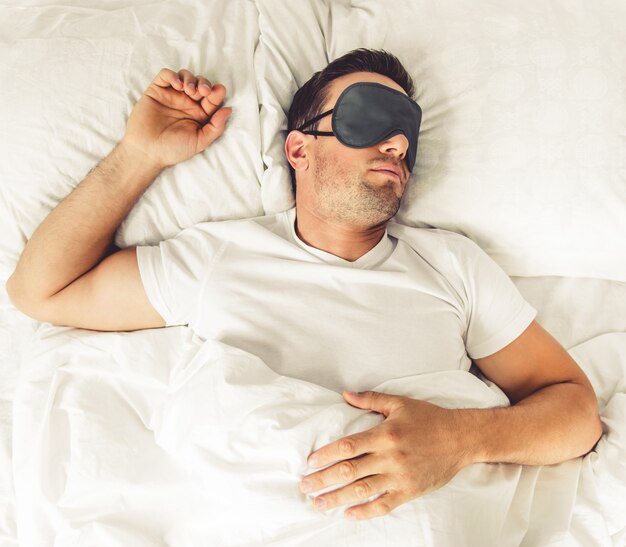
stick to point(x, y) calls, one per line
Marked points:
point(496, 312)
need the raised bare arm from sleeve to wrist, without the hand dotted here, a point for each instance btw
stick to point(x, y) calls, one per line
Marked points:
point(64, 275)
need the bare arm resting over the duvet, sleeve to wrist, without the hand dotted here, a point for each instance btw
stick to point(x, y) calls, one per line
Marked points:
point(554, 413)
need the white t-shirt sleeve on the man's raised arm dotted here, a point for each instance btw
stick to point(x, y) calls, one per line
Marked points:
point(173, 273)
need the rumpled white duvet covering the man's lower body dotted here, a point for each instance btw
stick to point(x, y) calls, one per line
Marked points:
point(149, 438)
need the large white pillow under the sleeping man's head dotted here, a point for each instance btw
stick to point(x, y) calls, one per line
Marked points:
point(521, 146)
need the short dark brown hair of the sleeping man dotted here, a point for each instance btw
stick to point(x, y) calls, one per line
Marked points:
point(309, 99)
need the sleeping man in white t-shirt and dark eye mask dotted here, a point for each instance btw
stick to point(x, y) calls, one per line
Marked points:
point(328, 292)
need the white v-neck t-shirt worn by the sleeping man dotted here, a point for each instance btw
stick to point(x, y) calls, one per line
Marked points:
point(421, 300)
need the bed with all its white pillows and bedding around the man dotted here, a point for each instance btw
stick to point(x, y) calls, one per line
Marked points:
point(153, 438)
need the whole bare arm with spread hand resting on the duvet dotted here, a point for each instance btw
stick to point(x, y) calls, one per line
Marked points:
point(420, 446)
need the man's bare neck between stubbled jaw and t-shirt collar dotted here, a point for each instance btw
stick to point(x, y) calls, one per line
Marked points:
point(346, 241)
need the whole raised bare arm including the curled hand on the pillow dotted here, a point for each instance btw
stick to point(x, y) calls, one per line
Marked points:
point(67, 274)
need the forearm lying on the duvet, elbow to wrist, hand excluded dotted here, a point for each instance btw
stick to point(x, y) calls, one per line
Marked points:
point(554, 424)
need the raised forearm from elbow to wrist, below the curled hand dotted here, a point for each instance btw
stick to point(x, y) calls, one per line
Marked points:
point(75, 236)
